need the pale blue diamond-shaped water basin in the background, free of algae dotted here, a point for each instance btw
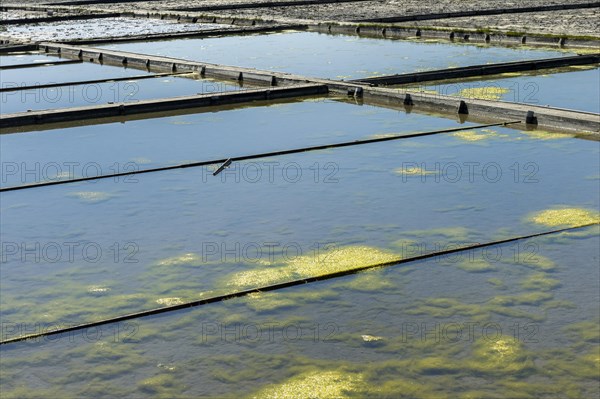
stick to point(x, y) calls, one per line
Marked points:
point(332, 56)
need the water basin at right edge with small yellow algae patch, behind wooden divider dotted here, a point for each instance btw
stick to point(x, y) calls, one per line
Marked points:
point(574, 88)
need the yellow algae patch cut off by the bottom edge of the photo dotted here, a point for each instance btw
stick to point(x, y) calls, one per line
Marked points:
point(317, 384)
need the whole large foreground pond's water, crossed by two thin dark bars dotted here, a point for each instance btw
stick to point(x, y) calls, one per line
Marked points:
point(519, 319)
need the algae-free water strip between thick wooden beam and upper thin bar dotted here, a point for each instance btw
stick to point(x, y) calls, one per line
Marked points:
point(202, 136)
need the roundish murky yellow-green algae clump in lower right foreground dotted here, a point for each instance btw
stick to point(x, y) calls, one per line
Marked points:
point(503, 355)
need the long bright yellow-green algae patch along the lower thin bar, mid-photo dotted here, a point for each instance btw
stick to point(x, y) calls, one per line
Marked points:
point(326, 262)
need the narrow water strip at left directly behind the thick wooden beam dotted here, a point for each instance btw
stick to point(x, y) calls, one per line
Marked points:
point(110, 92)
